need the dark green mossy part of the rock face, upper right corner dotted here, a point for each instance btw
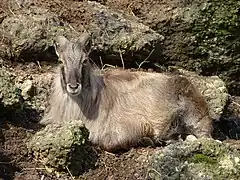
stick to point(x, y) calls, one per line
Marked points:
point(212, 46)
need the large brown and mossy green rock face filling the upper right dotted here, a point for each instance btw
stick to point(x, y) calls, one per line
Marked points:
point(200, 35)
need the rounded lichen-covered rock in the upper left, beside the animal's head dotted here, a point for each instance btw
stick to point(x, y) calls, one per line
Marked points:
point(28, 34)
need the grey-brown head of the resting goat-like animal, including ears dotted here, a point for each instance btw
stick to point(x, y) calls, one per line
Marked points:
point(75, 63)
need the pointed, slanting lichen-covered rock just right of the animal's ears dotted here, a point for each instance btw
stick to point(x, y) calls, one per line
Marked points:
point(115, 31)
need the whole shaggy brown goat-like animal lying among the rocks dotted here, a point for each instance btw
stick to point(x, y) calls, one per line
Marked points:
point(121, 107)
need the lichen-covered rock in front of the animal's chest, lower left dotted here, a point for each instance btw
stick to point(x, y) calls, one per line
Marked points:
point(63, 147)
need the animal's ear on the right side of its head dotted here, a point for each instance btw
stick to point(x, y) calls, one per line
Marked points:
point(84, 42)
